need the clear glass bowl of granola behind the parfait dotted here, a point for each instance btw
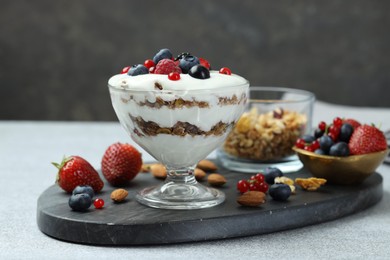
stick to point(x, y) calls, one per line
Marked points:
point(265, 134)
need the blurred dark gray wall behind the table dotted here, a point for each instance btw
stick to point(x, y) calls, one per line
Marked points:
point(56, 56)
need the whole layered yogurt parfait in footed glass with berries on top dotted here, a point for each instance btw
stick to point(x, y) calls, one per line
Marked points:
point(179, 110)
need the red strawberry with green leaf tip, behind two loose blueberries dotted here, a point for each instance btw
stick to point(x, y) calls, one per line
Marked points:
point(74, 171)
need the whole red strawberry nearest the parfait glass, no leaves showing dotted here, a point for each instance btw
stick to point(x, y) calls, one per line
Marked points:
point(121, 163)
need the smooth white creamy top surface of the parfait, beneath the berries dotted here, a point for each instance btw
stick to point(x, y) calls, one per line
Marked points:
point(186, 82)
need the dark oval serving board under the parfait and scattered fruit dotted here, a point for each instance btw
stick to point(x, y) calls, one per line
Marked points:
point(131, 223)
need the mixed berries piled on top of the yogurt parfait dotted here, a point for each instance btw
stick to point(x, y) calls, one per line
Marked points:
point(164, 62)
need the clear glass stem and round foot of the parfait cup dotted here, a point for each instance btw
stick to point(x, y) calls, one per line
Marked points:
point(180, 190)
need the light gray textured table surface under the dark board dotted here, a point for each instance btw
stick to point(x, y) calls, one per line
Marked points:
point(27, 149)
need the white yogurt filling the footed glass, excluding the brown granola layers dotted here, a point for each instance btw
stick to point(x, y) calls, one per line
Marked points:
point(129, 94)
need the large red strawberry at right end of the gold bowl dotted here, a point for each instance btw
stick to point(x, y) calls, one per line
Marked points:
point(367, 139)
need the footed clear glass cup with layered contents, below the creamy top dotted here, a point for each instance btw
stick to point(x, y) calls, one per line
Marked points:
point(179, 128)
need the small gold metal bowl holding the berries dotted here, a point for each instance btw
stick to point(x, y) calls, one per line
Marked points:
point(348, 170)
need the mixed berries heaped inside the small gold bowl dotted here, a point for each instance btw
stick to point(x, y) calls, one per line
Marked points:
point(343, 137)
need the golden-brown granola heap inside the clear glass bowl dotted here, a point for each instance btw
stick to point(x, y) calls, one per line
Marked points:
point(265, 136)
